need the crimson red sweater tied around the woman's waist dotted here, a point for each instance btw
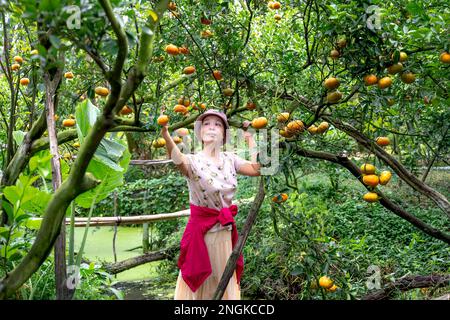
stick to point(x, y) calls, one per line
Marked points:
point(194, 260)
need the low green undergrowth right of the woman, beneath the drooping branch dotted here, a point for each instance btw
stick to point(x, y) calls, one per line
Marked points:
point(337, 236)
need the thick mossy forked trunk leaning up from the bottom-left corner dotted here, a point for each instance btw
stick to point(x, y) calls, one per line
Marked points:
point(78, 181)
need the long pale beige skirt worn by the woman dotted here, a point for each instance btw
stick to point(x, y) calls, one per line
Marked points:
point(219, 249)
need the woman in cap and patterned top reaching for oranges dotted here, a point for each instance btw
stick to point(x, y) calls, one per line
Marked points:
point(211, 232)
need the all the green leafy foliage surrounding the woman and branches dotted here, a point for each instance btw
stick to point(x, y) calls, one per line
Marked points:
point(280, 65)
